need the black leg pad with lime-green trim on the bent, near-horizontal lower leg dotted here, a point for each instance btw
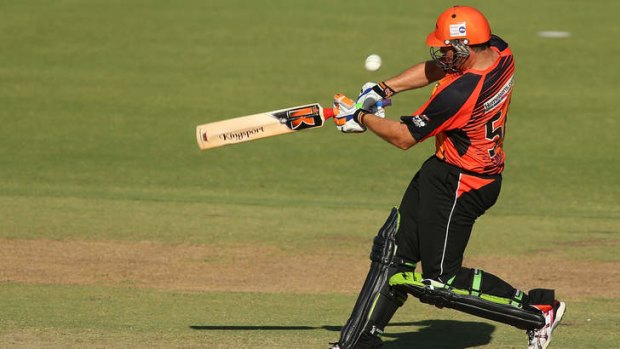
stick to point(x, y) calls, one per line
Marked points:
point(507, 311)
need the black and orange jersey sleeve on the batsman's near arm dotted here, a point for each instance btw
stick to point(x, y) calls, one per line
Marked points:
point(445, 110)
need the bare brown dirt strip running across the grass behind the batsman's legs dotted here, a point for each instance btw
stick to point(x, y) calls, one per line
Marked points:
point(260, 269)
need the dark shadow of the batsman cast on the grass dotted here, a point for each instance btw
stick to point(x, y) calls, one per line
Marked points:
point(446, 334)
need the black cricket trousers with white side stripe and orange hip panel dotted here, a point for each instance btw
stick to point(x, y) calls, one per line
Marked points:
point(437, 213)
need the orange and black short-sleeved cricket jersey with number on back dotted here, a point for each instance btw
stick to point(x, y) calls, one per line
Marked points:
point(467, 115)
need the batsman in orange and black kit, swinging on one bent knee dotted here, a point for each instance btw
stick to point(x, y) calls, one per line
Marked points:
point(473, 72)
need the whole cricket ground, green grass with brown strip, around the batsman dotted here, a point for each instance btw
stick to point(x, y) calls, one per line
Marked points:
point(117, 232)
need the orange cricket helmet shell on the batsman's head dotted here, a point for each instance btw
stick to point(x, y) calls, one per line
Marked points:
point(462, 23)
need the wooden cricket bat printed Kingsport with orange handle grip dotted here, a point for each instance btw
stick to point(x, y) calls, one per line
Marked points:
point(262, 125)
